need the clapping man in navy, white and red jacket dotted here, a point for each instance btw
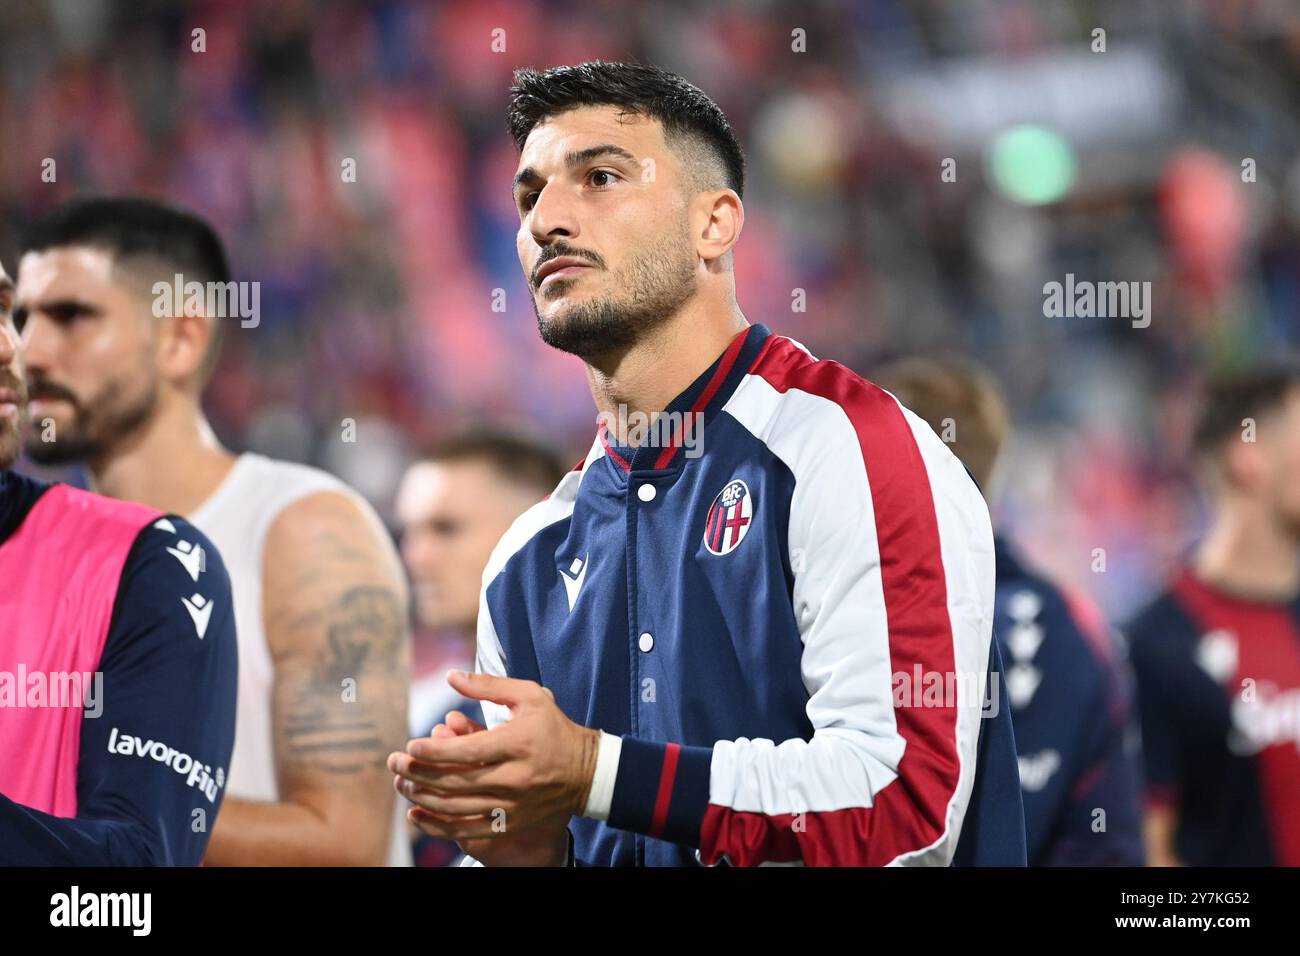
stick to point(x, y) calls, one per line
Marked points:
point(699, 643)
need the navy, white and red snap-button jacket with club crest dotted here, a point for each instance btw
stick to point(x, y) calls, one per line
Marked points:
point(783, 629)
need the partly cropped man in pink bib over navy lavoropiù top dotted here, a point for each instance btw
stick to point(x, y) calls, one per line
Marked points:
point(133, 608)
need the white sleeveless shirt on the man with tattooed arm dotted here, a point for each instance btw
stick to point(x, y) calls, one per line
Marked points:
point(237, 518)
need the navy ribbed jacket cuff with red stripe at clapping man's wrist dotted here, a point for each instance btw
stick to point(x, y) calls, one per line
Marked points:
point(661, 790)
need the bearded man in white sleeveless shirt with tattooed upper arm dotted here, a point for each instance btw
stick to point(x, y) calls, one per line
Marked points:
point(319, 596)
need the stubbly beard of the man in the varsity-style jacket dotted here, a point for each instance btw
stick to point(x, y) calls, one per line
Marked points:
point(655, 288)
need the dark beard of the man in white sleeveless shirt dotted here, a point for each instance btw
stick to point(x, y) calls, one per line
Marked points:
point(94, 427)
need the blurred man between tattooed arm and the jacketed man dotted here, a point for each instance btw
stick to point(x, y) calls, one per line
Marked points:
point(453, 505)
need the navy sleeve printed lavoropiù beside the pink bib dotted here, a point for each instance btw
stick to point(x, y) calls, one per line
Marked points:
point(153, 764)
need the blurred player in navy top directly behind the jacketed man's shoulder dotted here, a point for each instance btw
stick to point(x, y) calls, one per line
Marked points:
point(1067, 686)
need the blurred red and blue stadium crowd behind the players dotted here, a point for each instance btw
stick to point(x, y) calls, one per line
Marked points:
point(397, 301)
